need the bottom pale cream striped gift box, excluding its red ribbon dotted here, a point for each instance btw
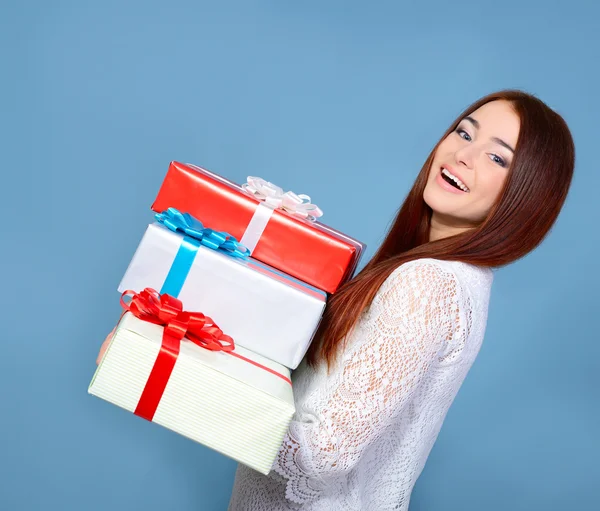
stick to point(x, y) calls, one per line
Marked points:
point(228, 404)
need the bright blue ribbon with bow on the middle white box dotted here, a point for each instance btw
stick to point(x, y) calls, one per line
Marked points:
point(195, 234)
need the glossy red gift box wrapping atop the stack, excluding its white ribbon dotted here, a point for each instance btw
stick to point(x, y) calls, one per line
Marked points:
point(310, 251)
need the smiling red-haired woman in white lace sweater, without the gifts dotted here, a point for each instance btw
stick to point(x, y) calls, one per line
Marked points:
point(398, 340)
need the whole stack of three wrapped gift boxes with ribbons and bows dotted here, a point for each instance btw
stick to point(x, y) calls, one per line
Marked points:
point(227, 289)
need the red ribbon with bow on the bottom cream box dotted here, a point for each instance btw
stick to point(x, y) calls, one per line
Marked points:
point(167, 311)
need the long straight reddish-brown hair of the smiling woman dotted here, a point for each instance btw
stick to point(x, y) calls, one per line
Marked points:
point(527, 207)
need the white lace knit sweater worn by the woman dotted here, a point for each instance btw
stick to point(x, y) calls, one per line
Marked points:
point(362, 433)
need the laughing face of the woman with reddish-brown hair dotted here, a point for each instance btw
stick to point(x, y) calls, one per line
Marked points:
point(470, 166)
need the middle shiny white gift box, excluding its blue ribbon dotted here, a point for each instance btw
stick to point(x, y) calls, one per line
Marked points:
point(264, 310)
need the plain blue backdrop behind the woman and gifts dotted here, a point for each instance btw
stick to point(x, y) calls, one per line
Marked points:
point(339, 99)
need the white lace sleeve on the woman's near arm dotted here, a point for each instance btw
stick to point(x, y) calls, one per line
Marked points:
point(412, 318)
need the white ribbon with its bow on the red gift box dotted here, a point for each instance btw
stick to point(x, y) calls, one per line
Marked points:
point(272, 197)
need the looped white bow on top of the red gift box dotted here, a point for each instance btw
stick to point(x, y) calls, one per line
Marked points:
point(273, 196)
